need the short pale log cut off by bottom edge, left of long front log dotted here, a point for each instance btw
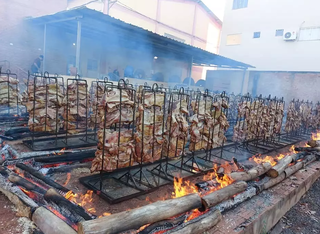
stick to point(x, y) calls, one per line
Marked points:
point(49, 223)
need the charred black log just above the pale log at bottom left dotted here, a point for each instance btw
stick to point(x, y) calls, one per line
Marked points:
point(53, 196)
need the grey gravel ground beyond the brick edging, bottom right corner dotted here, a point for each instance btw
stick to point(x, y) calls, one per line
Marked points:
point(304, 217)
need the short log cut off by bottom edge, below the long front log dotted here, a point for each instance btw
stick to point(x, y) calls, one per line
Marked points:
point(199, 225)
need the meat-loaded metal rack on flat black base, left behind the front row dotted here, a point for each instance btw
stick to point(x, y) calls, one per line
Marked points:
point(62, 120)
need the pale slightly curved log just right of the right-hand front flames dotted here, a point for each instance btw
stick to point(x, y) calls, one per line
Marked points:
point(251, 174)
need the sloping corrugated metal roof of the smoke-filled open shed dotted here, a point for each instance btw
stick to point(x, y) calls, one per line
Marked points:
point(96, 23)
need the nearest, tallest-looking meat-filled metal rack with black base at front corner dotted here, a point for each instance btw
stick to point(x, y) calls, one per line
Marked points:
point(123, 170)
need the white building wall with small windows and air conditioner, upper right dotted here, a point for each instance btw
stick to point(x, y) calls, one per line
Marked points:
point(270, 52)
